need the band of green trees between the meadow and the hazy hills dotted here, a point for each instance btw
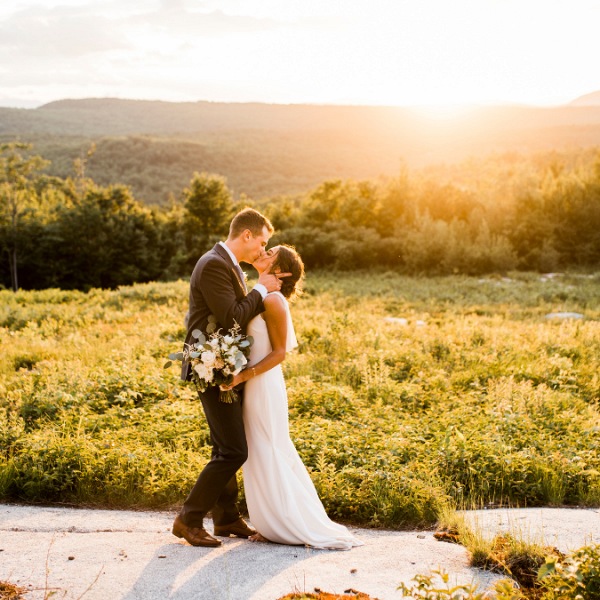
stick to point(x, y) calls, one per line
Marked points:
point(493, 214)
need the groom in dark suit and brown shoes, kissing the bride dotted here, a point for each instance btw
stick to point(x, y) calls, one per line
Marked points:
point(217, 287)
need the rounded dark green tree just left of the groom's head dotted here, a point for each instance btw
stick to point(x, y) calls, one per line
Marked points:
point(208, 206)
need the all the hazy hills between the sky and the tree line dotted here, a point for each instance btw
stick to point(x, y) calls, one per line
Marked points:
point(268, 149)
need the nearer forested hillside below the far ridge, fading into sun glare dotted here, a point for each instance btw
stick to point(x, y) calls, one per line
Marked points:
point(256, 163)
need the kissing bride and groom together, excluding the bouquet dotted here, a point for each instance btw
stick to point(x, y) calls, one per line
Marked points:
point(253, 432)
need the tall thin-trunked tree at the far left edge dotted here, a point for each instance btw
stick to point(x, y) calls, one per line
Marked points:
point(17, 176)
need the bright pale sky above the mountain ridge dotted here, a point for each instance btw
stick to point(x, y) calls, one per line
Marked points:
point(381, 52)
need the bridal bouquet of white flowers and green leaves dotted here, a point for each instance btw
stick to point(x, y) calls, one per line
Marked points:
point(216, 360)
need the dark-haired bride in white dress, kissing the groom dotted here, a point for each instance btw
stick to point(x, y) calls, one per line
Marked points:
point(282, 500)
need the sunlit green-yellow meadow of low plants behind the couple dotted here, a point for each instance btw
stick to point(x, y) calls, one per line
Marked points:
point(476, 399)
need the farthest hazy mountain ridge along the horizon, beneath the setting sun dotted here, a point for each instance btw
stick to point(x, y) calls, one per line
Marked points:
point(110, 116)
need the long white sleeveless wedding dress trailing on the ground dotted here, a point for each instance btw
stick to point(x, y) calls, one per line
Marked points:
point(282, 500)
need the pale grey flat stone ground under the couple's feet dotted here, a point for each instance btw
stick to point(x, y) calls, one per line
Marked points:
point(126, 555)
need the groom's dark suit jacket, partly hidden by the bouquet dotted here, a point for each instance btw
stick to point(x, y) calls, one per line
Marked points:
point(216, 289)
